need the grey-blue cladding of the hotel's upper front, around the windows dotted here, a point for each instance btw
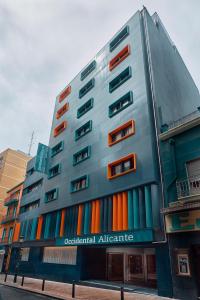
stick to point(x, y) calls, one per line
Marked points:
point(101, 153)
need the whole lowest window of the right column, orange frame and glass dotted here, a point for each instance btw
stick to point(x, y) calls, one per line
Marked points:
point(122, 166)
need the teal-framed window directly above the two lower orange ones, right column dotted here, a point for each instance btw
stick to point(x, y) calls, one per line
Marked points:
point(120, 104)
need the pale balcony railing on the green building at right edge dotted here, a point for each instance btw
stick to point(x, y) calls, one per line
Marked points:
point(188, 187)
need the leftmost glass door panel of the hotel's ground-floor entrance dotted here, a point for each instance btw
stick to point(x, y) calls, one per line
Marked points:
point(115, 266)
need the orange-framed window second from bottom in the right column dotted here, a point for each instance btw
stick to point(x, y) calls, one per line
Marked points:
point(121, 133)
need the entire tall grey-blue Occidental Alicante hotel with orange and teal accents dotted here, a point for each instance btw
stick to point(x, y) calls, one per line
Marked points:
point(92, 198)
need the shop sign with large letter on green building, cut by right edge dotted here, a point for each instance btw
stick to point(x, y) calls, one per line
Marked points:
point(183, 221)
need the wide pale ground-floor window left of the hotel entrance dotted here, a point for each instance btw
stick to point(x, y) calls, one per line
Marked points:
point(60, 255)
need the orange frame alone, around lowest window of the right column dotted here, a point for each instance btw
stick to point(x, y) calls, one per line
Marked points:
point(131, 156)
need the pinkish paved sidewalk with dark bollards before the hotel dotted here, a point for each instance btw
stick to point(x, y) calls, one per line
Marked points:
point(64, 290)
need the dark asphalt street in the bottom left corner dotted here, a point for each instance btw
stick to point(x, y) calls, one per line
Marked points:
point(9, 293)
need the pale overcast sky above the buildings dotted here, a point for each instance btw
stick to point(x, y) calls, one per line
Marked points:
point(45, 43)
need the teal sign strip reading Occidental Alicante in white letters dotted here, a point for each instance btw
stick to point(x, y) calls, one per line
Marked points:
point(104, 239)
